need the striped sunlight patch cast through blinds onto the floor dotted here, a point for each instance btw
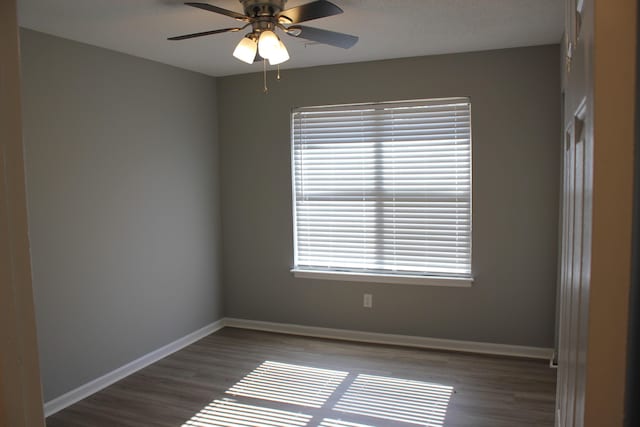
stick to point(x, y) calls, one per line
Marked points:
point(367, 397)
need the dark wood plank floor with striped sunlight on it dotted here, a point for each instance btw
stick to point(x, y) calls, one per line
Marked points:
point(238, 377)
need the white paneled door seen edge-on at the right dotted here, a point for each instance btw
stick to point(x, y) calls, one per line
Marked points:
point(576, 217)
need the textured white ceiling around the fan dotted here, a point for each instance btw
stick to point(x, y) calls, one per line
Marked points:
point(387, 29)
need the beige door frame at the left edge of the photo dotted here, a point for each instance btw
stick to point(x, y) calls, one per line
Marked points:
point(20, 388)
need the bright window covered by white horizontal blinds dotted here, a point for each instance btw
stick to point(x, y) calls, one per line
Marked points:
point(382, 191)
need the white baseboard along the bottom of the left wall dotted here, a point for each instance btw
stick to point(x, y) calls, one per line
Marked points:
point(86, 390)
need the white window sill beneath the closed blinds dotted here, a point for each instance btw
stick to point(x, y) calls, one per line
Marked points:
point(456, 282)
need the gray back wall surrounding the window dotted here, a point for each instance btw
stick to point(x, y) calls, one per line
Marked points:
point(515, 109)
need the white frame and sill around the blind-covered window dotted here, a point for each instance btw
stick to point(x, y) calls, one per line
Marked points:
point(340, 274)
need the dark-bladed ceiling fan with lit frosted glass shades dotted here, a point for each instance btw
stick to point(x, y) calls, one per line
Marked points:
point(265, 17)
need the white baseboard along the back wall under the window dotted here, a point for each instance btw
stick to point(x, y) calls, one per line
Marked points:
point(391, 339)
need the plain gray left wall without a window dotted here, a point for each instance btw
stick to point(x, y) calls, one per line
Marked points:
point(122, 181)
